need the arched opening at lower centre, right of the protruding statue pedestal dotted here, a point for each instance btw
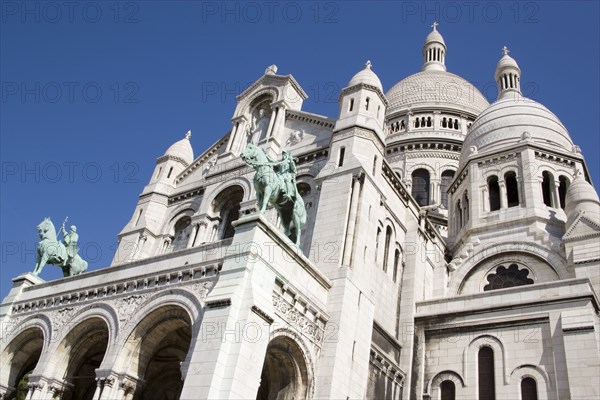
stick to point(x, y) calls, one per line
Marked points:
point(284, 375)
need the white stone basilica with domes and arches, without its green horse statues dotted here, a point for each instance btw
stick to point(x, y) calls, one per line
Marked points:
point(449, 250)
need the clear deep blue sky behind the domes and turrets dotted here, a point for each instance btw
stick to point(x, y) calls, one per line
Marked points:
point(94, 92)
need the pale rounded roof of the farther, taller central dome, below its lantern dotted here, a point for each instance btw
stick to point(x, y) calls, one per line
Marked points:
point(435, 89)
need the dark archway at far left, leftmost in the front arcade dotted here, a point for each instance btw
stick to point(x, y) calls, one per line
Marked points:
point(18, 360)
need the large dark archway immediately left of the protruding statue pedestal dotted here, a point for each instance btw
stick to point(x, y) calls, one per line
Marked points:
point(162, 342)
